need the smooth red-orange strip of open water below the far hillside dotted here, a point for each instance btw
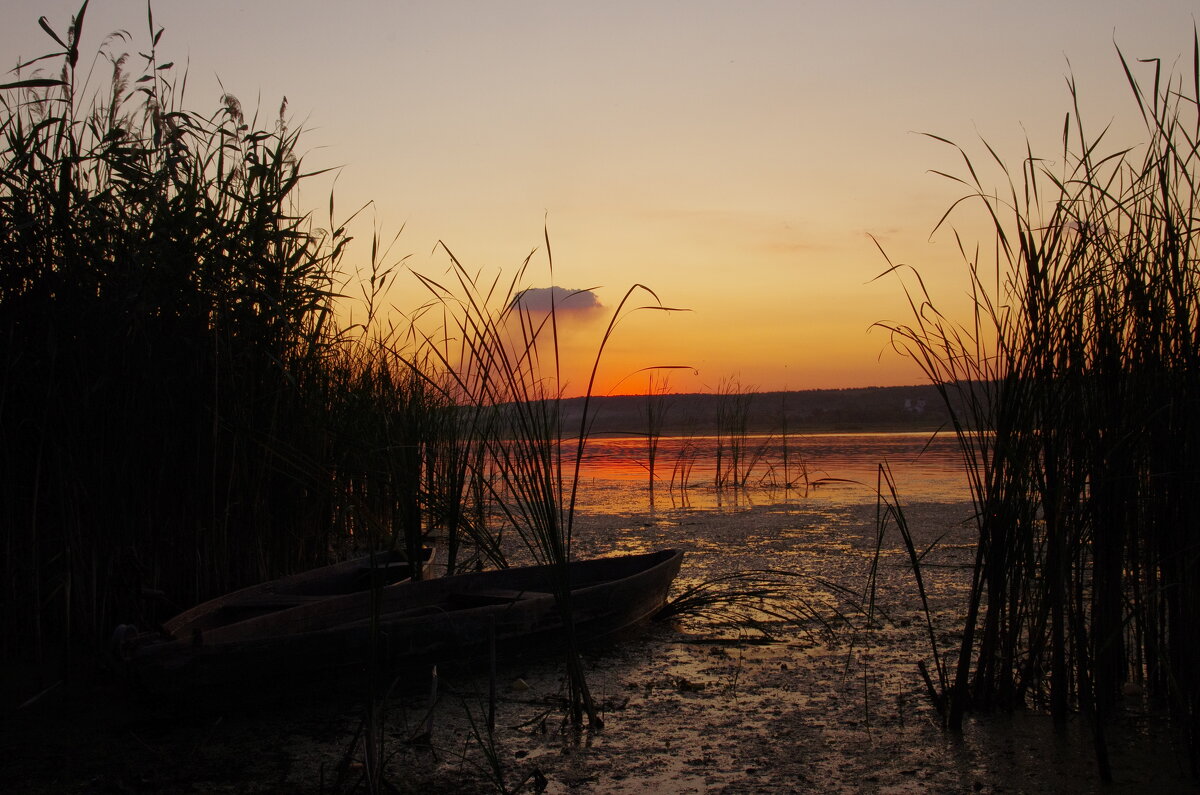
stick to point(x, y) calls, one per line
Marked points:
point(827, 468)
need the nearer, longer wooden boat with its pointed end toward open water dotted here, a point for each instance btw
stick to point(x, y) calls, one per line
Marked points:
point(286, 631)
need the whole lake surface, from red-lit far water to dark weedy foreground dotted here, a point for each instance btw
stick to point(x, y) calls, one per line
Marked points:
point(830, 702)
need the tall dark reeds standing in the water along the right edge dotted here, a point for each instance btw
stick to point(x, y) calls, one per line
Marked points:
point(1081, 426)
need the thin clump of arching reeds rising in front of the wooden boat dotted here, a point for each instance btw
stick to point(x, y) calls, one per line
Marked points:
point(505, 369)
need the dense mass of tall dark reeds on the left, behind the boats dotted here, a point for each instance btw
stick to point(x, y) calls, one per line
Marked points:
point(181, 415)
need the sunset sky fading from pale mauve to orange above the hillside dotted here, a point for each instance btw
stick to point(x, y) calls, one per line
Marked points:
point(736, 158)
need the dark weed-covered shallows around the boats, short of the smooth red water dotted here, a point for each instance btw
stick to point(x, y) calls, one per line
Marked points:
point(689, 706)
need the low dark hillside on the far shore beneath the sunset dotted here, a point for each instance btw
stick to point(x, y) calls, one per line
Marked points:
point(873, 409)
